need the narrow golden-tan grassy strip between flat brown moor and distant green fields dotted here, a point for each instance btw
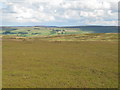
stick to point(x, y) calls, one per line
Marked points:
point(74, 37)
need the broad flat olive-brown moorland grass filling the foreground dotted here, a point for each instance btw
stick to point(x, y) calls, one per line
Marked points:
point(61, 64)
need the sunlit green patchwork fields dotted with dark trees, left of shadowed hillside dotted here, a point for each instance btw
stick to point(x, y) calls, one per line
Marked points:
point(39, 31)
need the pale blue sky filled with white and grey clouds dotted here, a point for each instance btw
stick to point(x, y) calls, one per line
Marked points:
point(59, 12)
